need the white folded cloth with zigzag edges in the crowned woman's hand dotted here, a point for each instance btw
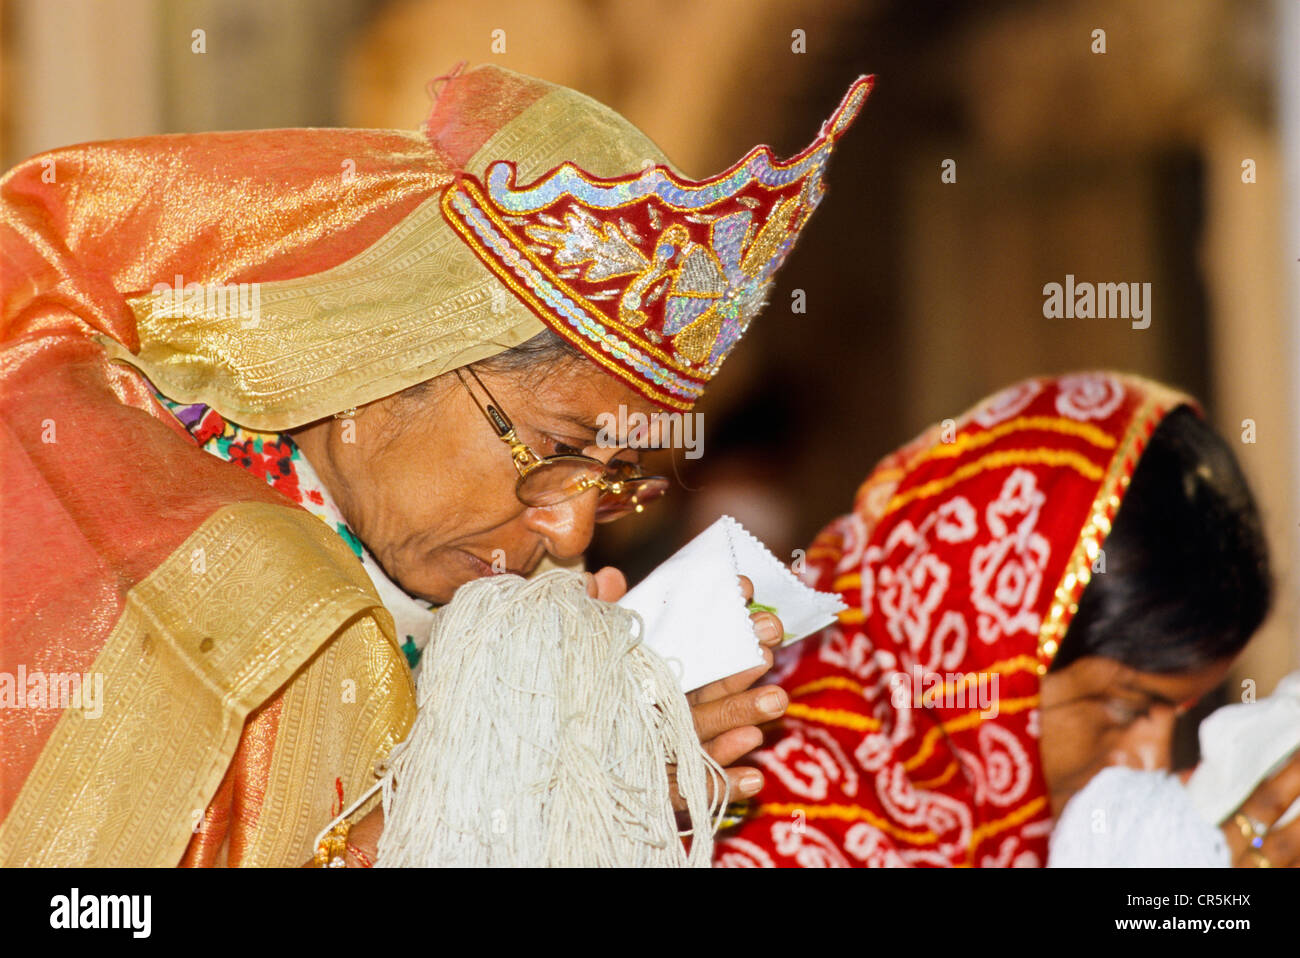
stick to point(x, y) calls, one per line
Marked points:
point(695, 612)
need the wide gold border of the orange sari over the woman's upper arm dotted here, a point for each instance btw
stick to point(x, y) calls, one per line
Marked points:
point(228, 619)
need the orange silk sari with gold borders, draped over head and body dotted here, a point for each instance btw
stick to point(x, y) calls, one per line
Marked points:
point(250, 674)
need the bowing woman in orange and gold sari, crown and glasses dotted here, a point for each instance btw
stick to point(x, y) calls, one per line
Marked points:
point(214, 343)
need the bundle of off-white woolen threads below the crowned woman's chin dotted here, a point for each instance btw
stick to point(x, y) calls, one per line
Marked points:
point(544, 735)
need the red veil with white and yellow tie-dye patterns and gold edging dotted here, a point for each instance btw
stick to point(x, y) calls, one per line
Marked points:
point(912, 738)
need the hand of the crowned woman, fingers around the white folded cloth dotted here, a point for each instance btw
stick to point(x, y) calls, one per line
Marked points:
point(727, 713)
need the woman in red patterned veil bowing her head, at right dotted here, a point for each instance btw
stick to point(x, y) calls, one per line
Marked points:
point(1035, 591)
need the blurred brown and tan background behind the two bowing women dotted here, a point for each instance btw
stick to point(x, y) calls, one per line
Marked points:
point(1171, 158)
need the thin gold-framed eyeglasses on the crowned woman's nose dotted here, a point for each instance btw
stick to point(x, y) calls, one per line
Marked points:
point(552, 480)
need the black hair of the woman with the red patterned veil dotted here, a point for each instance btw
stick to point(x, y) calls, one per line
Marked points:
point(1186, 579)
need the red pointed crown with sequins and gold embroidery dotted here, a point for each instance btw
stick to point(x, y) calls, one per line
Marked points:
point(652, 276)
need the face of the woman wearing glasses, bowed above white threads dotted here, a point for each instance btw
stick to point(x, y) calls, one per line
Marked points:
point(431, 491)
